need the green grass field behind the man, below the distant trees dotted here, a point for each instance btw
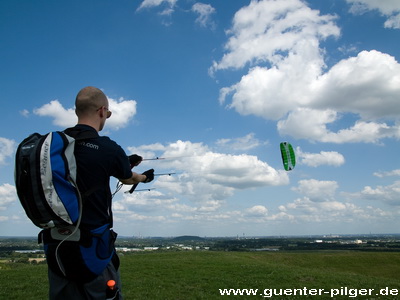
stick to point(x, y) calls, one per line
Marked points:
point(201, 275)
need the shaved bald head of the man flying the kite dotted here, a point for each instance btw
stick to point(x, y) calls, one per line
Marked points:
point(88, 100)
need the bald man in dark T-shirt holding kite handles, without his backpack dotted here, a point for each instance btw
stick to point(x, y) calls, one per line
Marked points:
point(81, 269)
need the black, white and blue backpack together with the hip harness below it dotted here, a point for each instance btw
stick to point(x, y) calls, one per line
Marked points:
point(45, 179)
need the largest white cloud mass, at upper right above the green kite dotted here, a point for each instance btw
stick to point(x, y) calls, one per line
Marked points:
point(288, 81)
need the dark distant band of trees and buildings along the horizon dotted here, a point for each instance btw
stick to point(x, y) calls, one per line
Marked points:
point(360, 243)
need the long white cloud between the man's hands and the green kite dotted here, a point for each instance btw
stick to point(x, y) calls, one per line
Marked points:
point(205, 177)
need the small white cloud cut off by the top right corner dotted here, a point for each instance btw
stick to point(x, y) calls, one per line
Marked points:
point(388, 8)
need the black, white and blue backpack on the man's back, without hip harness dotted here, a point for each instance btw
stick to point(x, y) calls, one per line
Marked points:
point(45, 179)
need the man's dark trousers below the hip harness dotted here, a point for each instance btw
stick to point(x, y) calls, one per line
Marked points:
point(64, 289)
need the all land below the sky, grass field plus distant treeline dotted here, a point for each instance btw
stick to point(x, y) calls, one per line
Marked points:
point(191, 267)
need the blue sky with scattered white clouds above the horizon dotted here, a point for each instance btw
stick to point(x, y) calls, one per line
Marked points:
point(214, 87)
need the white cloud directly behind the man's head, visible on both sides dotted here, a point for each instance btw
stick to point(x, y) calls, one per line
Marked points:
point(122, 113)
